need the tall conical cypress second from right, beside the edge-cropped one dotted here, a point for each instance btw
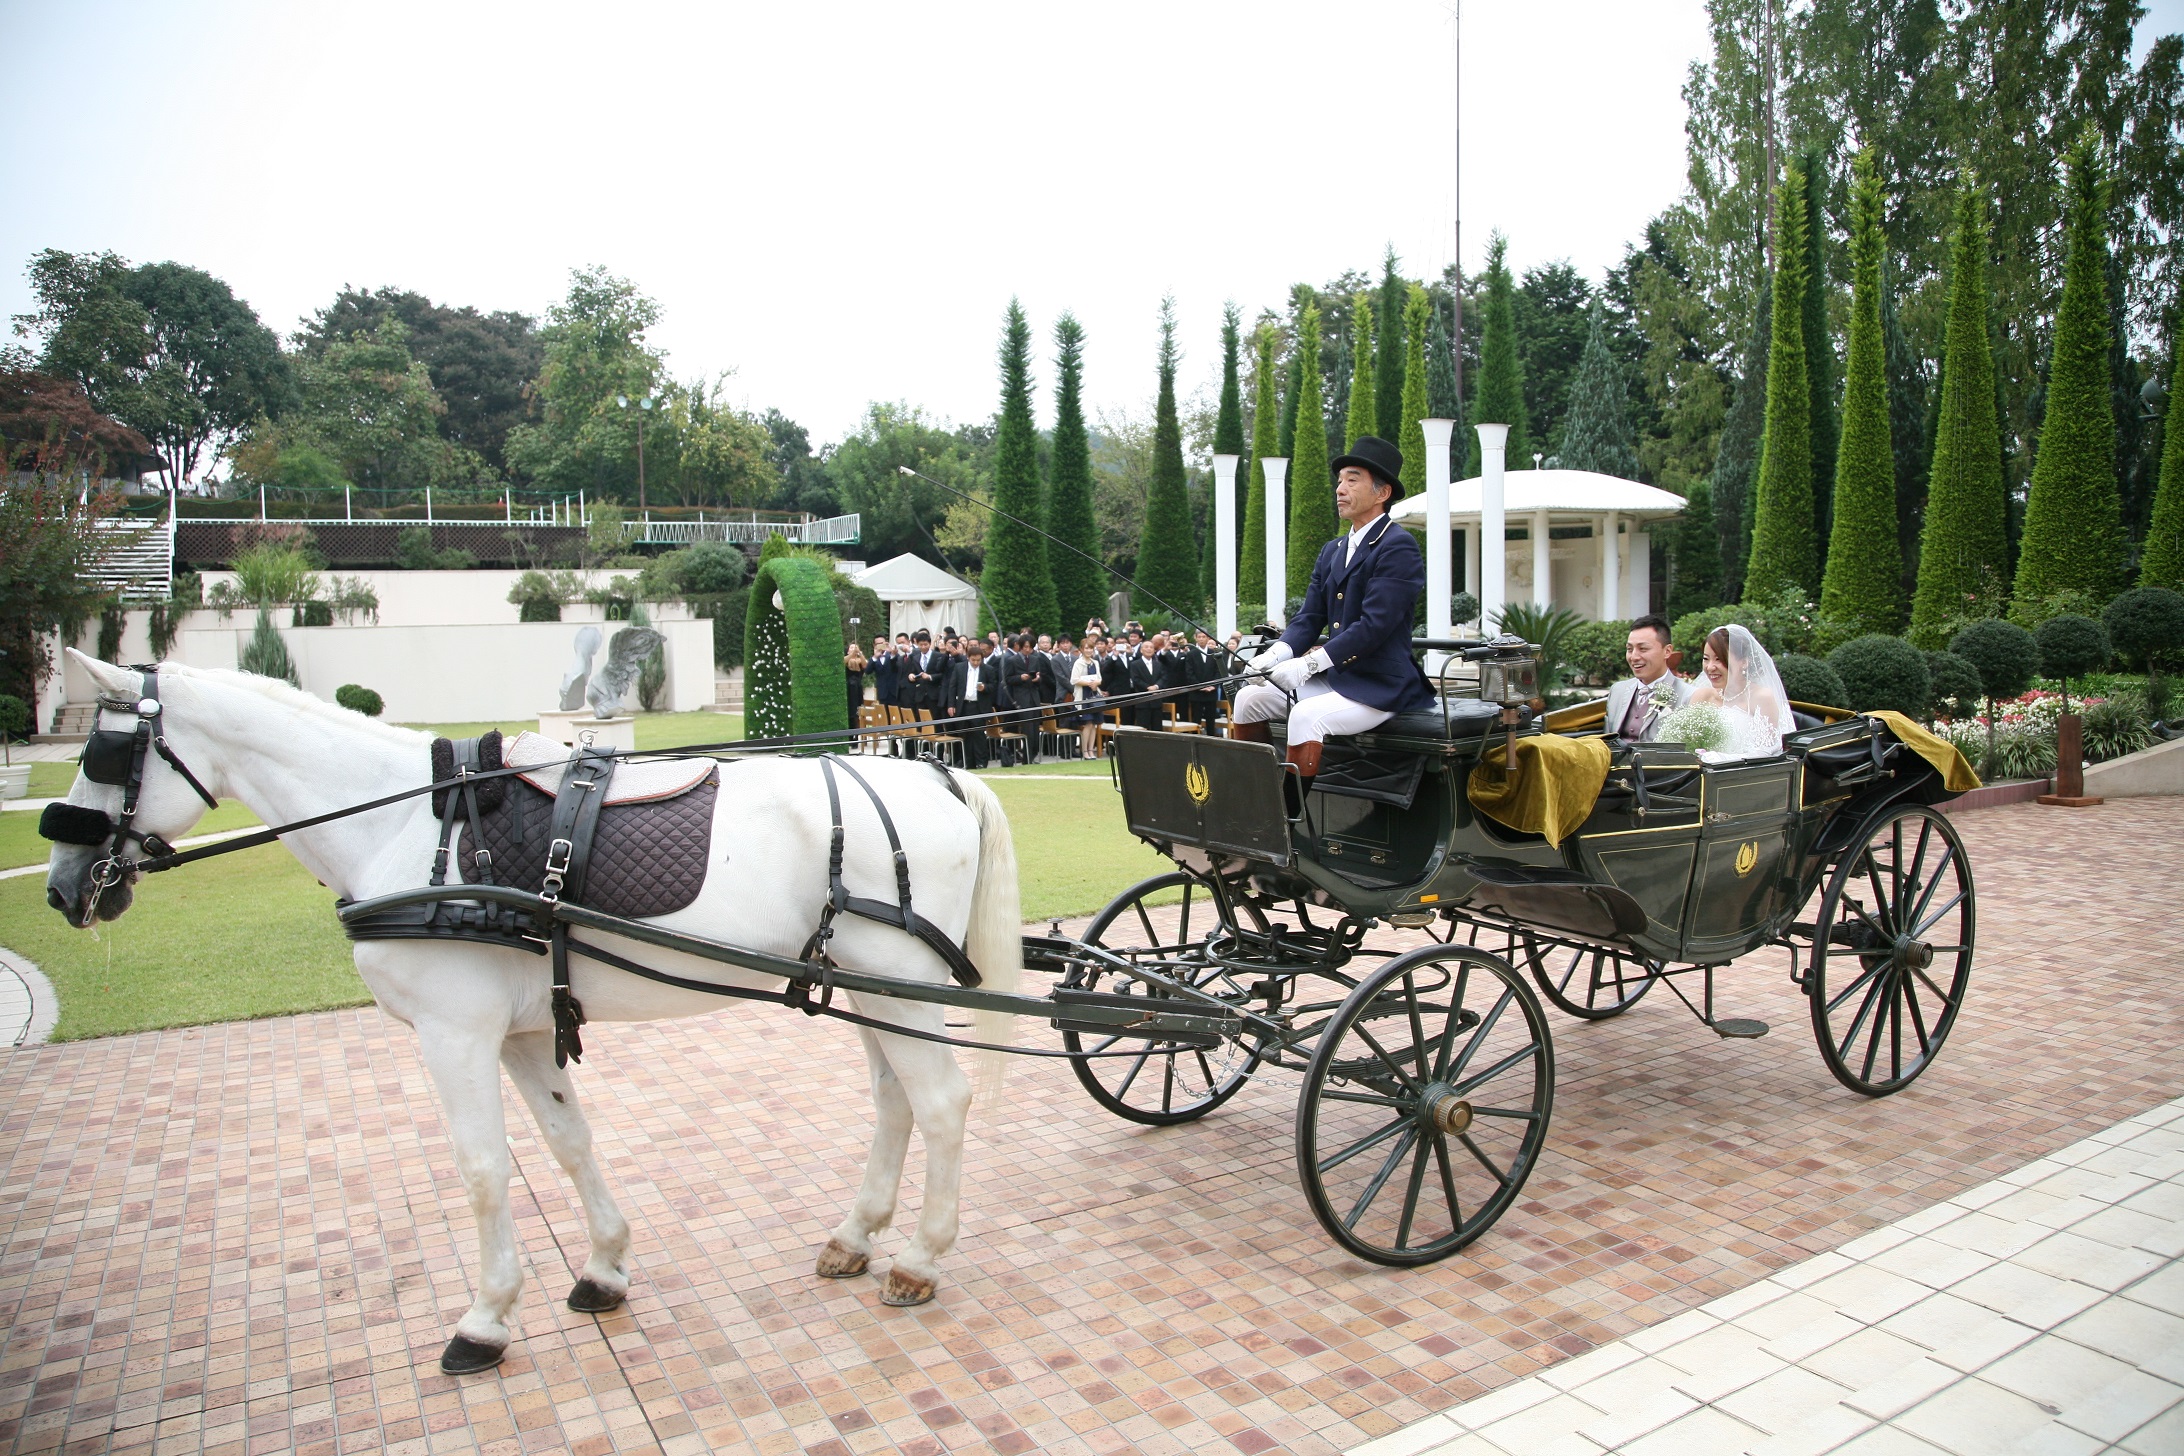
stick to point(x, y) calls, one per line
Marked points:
point(2074, 516)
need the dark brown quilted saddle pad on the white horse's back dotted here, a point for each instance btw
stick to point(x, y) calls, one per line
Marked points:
point(648, 859)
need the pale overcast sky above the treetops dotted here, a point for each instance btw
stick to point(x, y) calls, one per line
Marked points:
point(838, 202)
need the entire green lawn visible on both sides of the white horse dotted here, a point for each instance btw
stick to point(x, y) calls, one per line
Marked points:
point(254, 935)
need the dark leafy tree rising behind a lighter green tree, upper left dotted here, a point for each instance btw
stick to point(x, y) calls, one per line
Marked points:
point(482, 366)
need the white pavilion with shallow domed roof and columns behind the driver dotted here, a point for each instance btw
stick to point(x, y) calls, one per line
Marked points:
point(1558, 534)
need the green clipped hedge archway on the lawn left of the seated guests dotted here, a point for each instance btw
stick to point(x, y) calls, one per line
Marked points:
point(792, 654)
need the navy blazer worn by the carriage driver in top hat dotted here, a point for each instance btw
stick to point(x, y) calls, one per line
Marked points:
point(1366, 608)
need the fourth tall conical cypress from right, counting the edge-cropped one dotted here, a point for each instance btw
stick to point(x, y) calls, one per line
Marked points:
point(1864, 577)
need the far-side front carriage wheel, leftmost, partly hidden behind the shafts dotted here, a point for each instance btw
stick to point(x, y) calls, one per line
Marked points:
point(1161, 1084)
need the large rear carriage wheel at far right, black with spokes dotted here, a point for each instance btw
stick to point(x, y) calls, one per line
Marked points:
point(1892, 951)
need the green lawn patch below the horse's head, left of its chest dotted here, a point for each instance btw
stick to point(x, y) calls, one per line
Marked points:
point(248, 935)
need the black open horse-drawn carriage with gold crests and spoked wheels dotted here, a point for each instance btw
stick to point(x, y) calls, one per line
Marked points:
point(1429, 1075)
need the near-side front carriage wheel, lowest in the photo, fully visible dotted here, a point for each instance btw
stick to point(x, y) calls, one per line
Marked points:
point(1425, 1106)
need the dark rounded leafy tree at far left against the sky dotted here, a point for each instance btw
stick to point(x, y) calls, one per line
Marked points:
point(163, 348)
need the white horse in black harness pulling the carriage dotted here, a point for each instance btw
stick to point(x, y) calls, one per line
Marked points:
point(479, 1010)
